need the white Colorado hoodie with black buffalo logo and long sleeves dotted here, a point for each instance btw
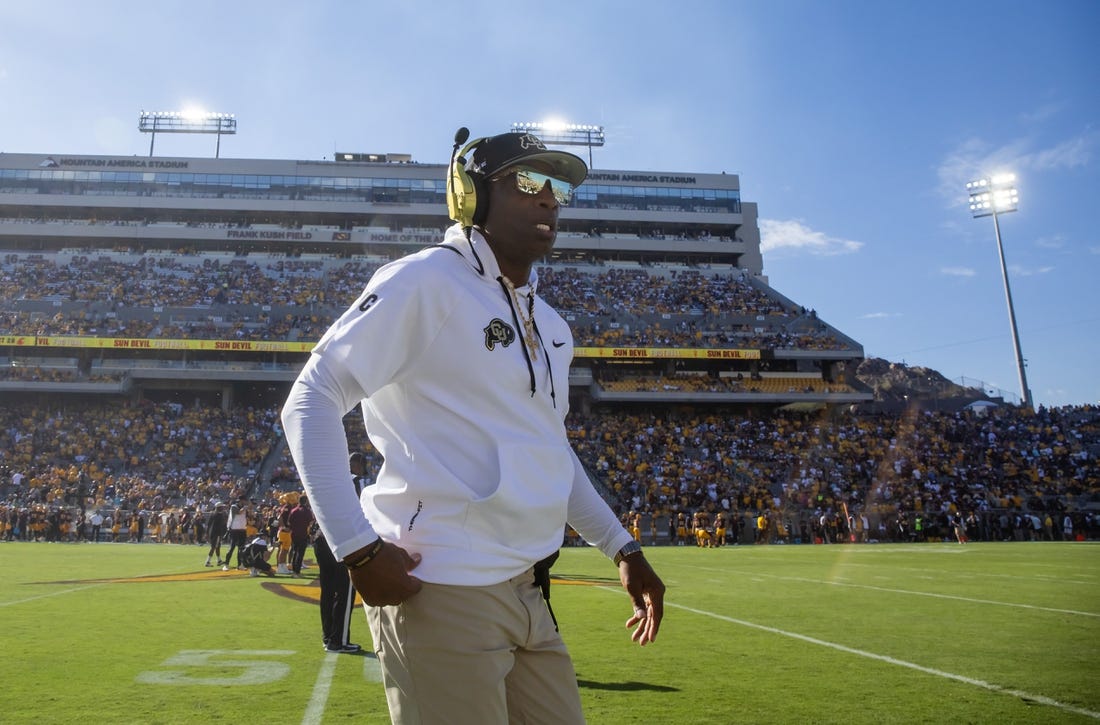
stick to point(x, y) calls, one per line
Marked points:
point(479, 475)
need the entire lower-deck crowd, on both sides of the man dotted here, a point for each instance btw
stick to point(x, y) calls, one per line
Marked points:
point(155, 470)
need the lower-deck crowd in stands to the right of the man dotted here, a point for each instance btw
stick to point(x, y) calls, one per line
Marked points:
point(889, 469)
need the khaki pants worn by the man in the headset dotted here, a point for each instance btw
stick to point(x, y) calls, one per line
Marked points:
point(485, 655)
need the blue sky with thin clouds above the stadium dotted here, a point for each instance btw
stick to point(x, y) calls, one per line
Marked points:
point(854, 125)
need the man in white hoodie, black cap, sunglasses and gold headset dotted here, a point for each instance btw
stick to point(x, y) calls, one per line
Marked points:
point(463, 372)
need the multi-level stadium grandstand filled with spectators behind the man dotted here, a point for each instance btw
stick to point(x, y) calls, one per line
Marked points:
point(155, 312)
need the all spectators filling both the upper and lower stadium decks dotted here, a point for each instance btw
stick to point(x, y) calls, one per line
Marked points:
point(152, 471)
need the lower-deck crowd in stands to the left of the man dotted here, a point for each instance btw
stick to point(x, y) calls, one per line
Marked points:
point(129, 456)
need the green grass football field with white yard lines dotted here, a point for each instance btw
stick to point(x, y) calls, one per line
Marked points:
point(938, 633)
